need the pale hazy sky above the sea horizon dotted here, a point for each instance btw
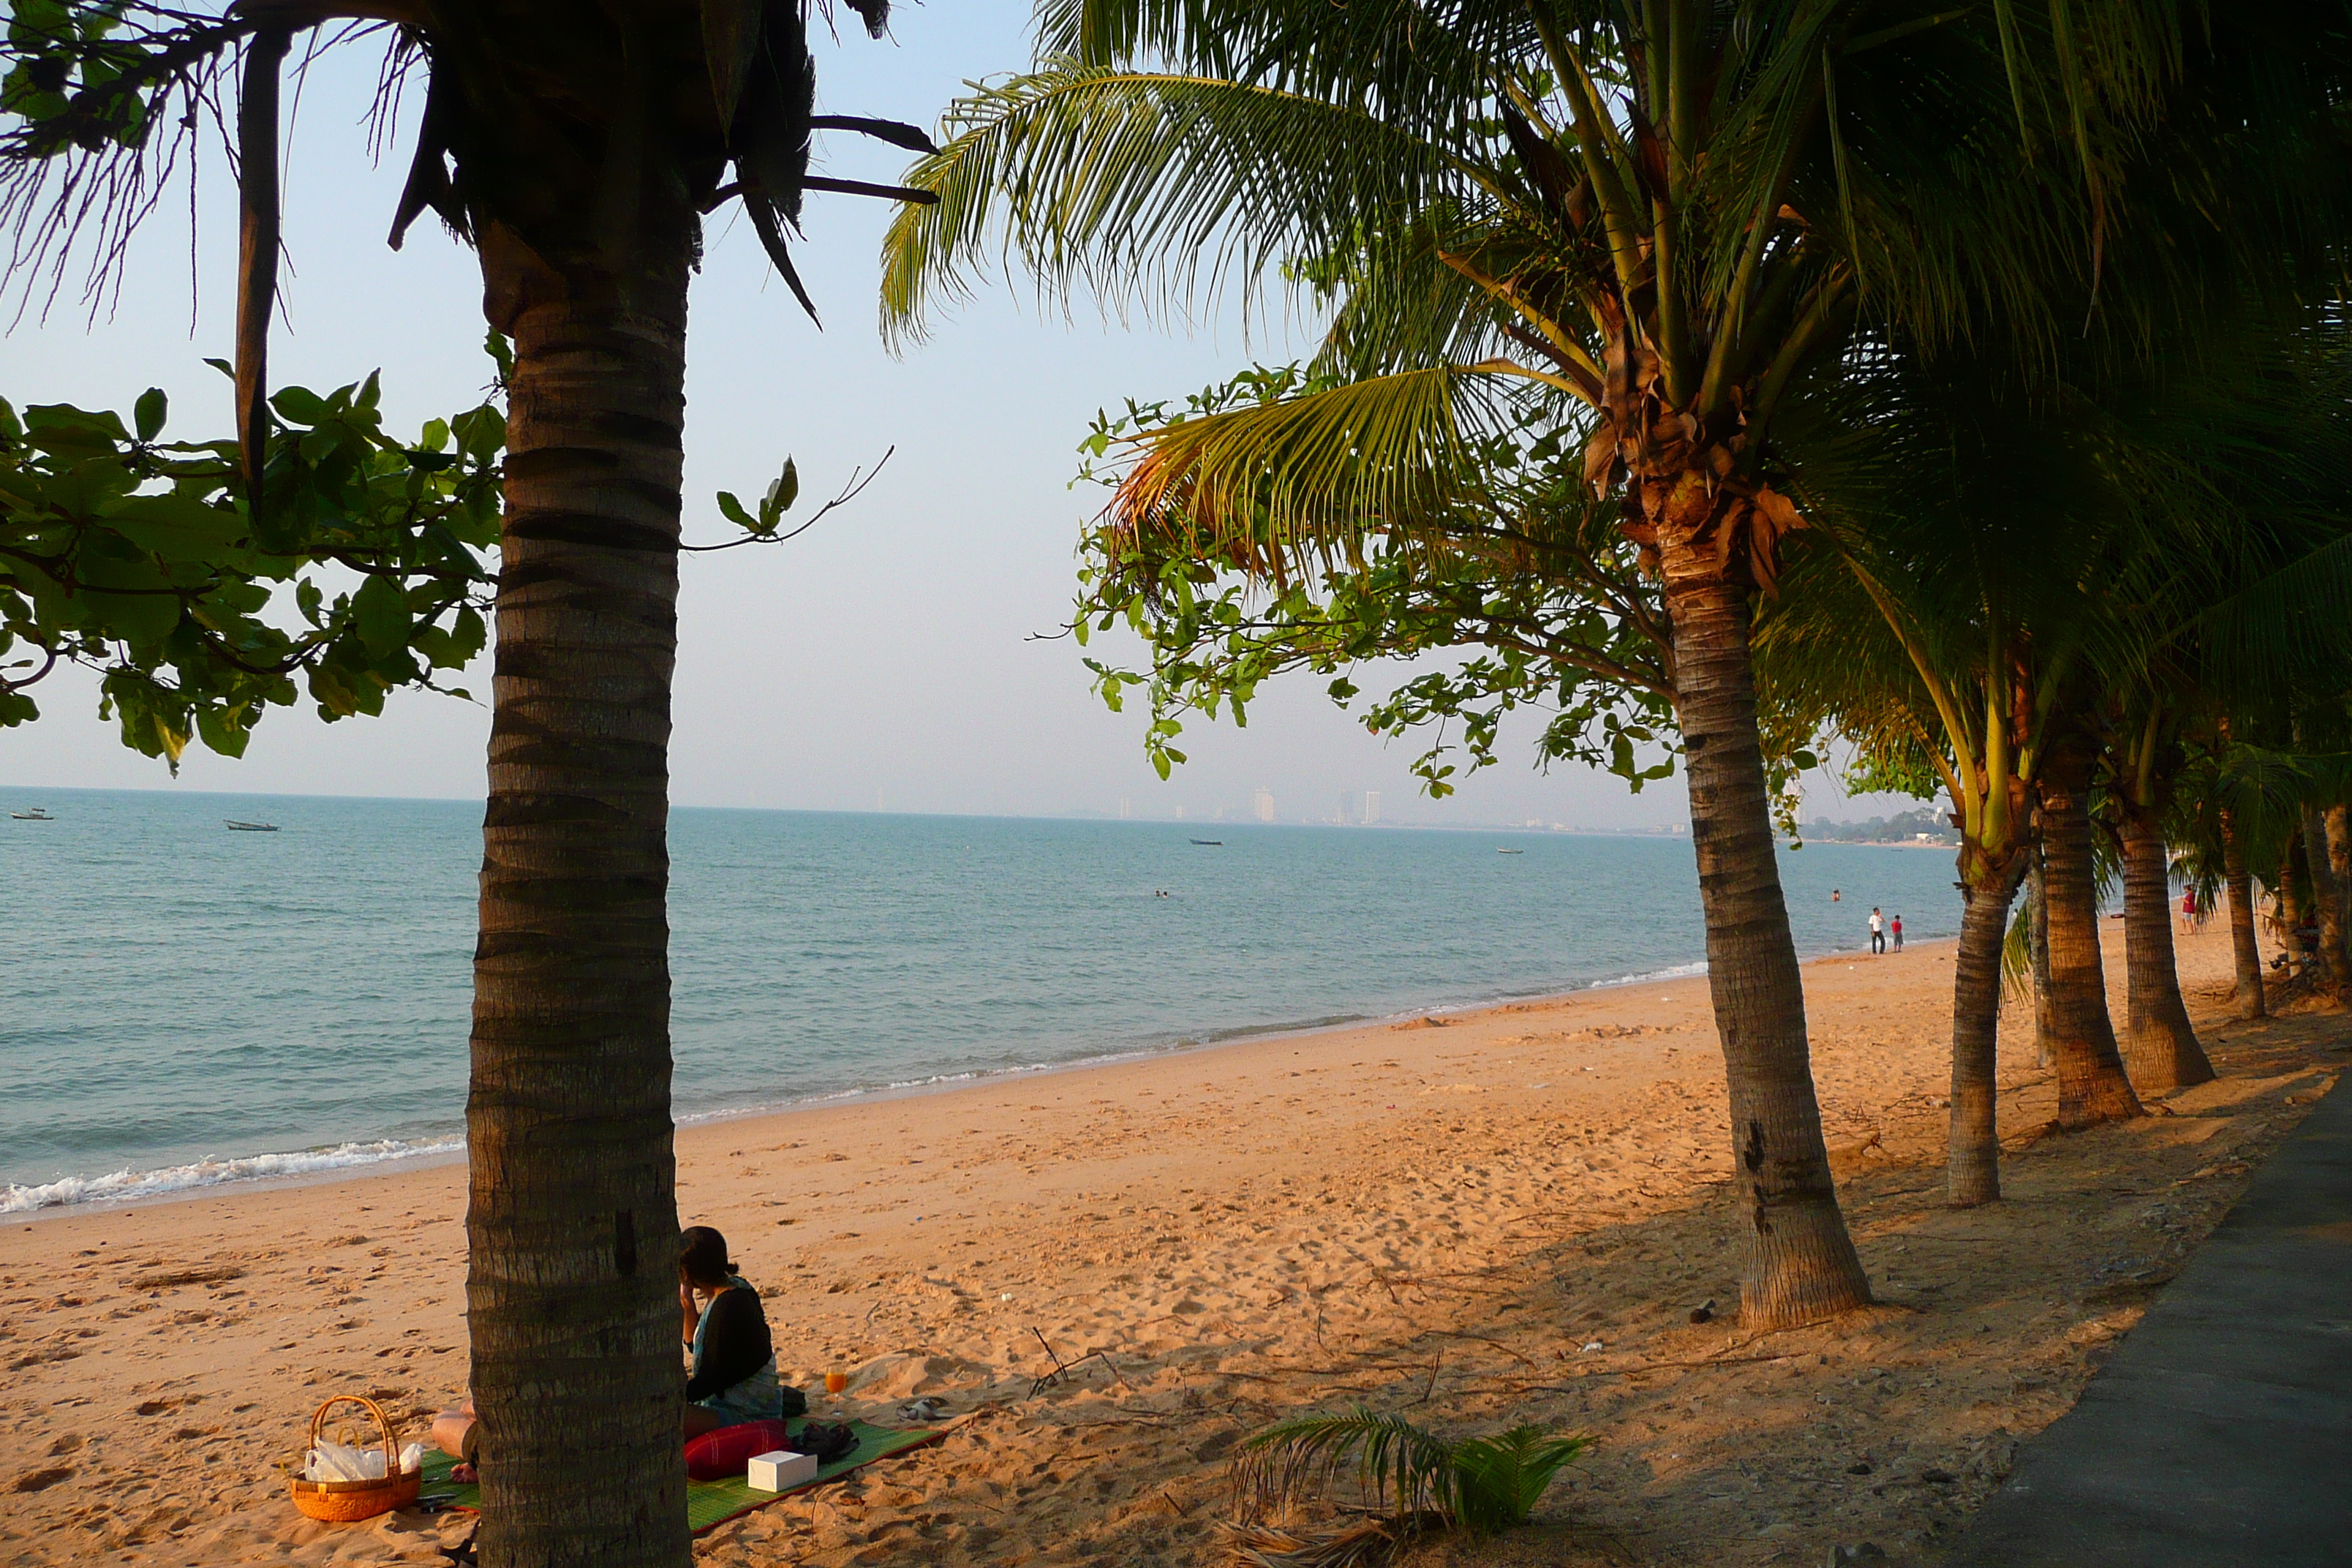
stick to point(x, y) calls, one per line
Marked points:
point(881, 659)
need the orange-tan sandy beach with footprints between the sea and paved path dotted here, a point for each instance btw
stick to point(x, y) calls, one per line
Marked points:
point(1483, 1219)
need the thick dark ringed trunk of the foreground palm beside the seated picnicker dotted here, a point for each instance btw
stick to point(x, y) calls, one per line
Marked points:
point(573, 1219)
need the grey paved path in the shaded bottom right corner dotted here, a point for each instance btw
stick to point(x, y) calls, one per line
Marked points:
point(2221, 1435)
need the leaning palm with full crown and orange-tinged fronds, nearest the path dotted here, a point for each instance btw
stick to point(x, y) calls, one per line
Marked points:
point(1631, 225)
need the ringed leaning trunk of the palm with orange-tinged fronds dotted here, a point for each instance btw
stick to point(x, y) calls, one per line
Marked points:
point(1800, 1261)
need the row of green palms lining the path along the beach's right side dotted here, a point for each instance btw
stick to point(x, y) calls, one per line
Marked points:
point(1956, 382)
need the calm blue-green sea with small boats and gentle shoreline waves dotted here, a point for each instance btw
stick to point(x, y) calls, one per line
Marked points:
point(182, 1005)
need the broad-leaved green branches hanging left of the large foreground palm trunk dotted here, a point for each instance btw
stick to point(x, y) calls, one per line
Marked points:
point(140, 558)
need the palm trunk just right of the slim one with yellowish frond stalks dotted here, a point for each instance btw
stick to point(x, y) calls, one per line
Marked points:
point(2092, 1085)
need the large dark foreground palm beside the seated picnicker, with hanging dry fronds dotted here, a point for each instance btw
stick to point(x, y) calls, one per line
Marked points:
point(577, 149)
